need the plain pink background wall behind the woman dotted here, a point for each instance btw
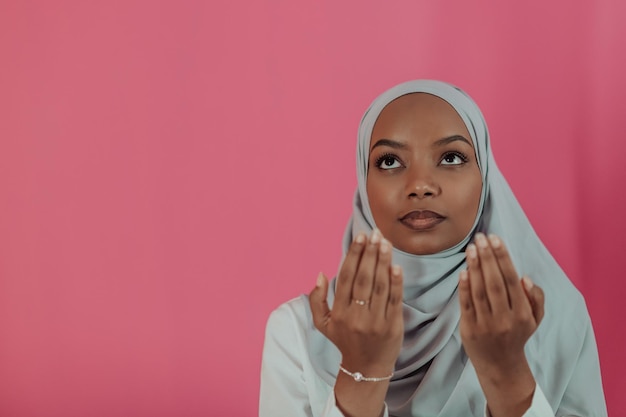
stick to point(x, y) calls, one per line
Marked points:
point(171, 171)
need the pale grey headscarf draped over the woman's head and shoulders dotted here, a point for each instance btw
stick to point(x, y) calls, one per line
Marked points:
point(433, 376)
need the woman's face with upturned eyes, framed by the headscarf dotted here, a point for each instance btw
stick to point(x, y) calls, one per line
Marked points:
point(423, 180)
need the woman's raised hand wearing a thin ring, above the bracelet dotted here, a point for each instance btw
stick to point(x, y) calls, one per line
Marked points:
point(366, 320)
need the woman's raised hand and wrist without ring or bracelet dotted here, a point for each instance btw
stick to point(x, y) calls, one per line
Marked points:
point(498, 316)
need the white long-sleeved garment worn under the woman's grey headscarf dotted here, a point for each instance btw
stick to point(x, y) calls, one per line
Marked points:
point(291, 387)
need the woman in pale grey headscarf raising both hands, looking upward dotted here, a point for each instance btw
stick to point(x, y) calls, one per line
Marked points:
point(428, 315)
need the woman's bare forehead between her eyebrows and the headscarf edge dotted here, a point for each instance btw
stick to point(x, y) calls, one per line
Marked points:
point(420, 114)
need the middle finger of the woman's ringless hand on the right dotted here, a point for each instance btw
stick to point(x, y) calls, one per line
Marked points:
point(495, 287)
